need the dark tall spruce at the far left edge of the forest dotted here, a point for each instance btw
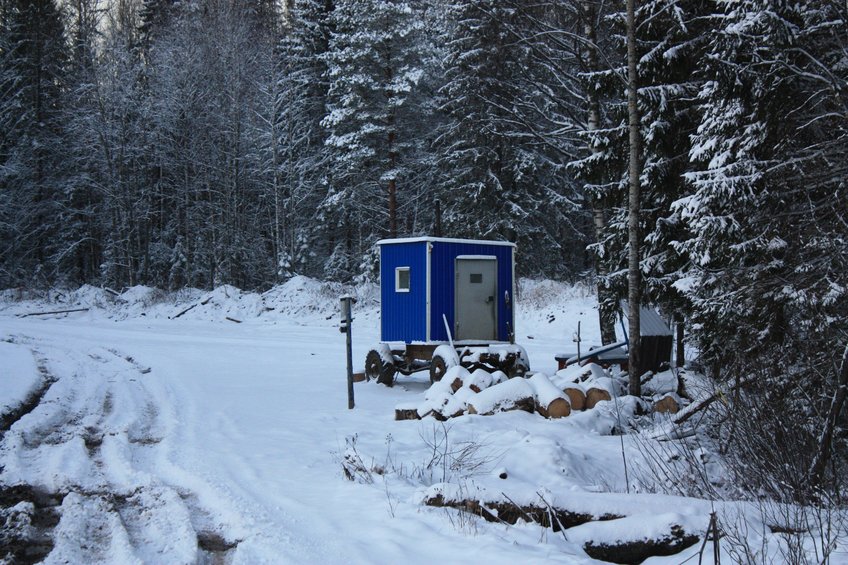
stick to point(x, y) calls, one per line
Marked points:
point(33, 58)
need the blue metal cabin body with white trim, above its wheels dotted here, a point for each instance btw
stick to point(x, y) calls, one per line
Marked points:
point(427, 280)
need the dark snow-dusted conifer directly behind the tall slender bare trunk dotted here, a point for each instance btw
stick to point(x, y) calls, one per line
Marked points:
point(671, 44)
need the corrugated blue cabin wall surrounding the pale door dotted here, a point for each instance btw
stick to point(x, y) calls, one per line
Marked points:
point(442, 266)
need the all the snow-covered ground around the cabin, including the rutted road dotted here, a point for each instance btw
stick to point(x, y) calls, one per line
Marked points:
point(213, 427)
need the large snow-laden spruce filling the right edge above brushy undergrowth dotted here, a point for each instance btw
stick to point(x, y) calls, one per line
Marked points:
point(767, 246)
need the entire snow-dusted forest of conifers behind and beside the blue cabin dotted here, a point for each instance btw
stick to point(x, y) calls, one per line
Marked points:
point(208, 142)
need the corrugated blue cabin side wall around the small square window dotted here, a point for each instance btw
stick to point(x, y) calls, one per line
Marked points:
point(404, 314)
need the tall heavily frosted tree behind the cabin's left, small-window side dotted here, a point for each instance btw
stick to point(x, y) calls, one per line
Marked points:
point(374, 68)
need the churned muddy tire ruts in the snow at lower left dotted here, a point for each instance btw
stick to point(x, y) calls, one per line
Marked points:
point(95, 428)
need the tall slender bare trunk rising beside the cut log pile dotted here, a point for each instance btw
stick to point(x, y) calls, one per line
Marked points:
point(634, 172)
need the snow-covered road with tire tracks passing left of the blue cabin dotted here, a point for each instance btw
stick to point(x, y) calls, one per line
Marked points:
point(167, 433)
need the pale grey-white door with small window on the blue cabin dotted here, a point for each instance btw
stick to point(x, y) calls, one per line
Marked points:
point(476, 289)
